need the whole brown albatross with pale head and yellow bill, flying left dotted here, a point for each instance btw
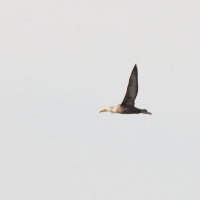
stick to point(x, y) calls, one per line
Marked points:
point(128, 104)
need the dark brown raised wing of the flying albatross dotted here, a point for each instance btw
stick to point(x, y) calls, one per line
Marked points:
point(132, 89)
